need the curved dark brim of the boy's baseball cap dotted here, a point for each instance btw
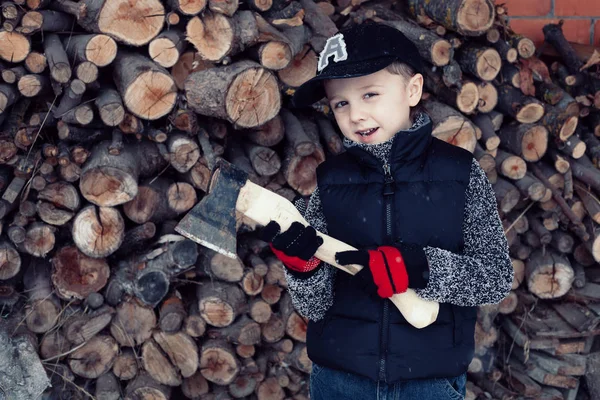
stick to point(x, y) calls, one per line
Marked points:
point(312, 90)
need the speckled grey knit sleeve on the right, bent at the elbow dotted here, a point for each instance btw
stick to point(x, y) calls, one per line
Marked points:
point(484, 273)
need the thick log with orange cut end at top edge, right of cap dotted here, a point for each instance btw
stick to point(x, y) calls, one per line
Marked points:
point(470, 18)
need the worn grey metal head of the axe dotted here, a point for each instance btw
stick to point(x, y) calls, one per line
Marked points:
point(211, 222)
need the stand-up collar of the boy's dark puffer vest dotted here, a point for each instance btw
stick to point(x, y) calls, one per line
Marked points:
point(407, 145)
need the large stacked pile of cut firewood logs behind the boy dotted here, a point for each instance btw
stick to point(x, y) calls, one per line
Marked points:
point(112, 114)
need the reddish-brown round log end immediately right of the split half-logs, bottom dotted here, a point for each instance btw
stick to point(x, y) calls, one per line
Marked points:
point(218, 362)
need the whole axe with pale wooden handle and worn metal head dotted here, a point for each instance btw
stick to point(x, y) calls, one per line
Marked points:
point(212, 223)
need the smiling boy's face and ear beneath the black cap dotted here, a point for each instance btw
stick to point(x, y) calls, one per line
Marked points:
point(373, 108)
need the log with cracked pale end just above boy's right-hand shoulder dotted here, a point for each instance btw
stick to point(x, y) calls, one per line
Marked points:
point(450, 126)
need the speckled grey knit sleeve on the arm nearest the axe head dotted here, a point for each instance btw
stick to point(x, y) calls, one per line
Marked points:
point(313, 295)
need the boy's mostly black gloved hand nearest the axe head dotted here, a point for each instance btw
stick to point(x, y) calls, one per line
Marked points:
point(295, 247)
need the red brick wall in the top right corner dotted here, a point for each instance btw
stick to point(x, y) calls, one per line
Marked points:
point(582, 18)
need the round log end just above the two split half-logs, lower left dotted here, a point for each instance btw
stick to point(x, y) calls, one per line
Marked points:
point(133, 323)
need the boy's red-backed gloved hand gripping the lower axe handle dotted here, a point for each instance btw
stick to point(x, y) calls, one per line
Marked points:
point(386, 265)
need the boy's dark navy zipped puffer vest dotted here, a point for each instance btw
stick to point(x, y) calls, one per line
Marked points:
point(417, 198)
